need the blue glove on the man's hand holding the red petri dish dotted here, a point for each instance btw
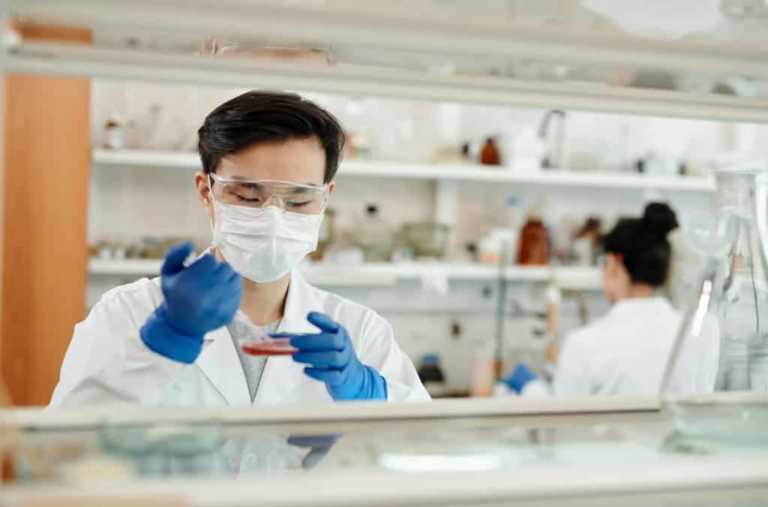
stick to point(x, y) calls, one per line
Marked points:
point(332, 360)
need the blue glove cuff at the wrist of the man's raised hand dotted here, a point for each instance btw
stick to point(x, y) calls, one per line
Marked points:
point(162, 338)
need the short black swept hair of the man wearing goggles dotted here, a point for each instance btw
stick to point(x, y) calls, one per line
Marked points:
point(259, 117)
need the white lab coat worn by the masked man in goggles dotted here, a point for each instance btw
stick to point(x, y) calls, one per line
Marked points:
point(107, 362)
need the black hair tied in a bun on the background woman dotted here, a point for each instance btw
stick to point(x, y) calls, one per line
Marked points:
point(643, 245)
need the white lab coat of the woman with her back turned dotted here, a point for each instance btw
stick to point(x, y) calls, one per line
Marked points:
point(626, 352)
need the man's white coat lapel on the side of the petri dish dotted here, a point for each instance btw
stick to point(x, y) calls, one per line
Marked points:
point(284, 379)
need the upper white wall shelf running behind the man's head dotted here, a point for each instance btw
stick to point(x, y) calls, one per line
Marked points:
point(440, 172)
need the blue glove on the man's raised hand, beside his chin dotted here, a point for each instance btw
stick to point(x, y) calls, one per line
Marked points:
point(199, 298)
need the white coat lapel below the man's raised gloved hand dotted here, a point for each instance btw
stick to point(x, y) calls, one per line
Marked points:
point(220, 362)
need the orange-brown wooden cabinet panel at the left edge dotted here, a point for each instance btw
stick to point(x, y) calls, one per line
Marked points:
point(44, 204)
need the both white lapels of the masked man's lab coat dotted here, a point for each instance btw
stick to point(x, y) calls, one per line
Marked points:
point(219, 356)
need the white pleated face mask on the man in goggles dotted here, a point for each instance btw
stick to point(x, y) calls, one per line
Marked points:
point(263, 244)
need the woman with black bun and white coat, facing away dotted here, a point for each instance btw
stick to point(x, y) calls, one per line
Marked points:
point(626, 351)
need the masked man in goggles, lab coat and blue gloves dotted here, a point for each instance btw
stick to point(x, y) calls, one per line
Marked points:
point(268, 165)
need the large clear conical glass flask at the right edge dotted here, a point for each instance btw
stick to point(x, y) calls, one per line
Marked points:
point(722, 344)
